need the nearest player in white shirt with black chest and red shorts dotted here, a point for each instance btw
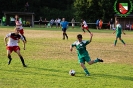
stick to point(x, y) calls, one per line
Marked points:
point(12, 45)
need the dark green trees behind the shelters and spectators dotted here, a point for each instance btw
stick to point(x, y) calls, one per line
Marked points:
point(90, 10)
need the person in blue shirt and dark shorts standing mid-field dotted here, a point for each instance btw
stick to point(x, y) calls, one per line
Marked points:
point(64, 25)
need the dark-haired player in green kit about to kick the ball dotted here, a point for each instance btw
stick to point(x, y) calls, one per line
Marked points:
point(83, 55)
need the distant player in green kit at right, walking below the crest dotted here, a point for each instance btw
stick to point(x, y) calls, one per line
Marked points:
point(118, 33)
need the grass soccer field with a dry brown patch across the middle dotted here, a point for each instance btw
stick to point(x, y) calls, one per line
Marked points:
point(49, 60)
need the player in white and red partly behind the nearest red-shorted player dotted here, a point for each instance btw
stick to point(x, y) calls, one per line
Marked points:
point(19, 26)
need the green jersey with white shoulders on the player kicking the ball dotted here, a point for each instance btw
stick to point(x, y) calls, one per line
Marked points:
point(81, 48)
